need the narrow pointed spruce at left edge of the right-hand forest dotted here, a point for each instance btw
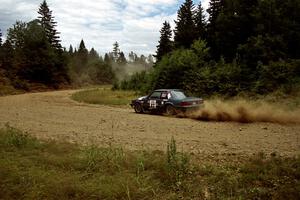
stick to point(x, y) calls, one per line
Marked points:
point(165, 44)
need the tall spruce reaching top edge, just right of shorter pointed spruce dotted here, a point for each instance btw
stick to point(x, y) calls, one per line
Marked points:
point(185, 32)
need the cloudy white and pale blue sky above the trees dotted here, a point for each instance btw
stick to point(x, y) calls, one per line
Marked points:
point(134, 24)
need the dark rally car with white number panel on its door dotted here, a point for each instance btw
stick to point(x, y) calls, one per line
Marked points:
point(168, 101)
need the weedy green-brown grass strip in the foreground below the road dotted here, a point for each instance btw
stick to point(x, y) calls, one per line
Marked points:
point(33, 169)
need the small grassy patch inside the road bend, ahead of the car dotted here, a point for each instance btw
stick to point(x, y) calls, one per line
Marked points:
point(105, 96)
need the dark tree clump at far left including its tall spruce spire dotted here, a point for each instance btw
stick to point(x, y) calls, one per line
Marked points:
point(32, 53)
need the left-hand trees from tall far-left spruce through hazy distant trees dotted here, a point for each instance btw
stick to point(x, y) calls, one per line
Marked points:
point(32, 56)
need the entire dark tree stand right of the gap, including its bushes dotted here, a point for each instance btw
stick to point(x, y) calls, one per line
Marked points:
point(250, 46)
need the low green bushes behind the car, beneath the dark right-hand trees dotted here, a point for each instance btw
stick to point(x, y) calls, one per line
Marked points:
point(191, 70)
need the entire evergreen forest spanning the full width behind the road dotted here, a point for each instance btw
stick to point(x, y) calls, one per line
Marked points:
point(233, 47)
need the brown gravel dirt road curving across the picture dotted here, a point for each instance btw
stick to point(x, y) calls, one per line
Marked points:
point(53, 115)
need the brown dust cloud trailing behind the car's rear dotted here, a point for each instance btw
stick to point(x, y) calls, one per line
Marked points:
point(244, 112)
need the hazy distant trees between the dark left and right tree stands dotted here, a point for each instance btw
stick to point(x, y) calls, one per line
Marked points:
point(88, 67)
